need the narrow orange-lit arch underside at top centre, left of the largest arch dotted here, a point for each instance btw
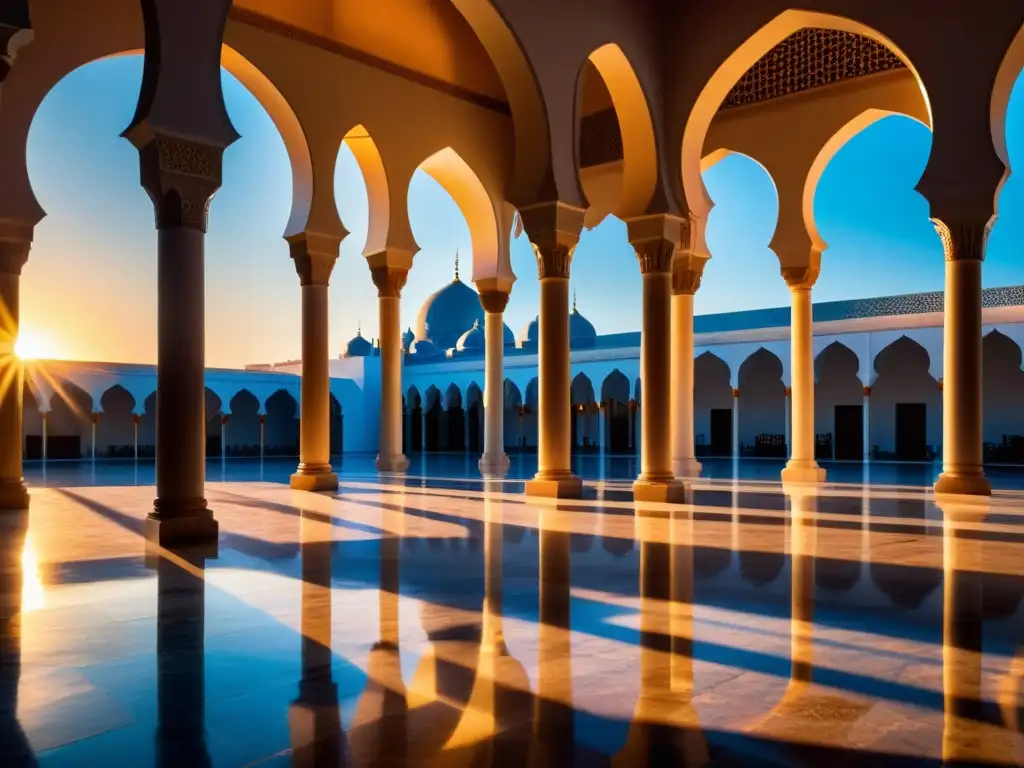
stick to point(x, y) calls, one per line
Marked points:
point(639, 167)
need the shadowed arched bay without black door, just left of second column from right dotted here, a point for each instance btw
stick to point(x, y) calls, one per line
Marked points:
point(762, 407)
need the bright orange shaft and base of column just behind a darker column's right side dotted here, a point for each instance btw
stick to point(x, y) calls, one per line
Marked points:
point(685, 461)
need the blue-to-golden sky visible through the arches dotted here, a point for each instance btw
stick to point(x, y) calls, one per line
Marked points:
point(90, 288)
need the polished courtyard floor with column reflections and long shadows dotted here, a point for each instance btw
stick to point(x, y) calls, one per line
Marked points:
point(457, 623)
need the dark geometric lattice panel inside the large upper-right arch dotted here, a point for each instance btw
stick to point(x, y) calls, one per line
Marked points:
point(810, 59)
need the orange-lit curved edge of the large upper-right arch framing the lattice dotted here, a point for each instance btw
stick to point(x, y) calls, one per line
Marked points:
point(733, 69)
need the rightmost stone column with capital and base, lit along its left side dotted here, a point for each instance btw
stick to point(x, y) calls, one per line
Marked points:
point(964, 243)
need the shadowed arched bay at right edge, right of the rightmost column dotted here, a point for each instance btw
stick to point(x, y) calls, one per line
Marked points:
point(1003, 400)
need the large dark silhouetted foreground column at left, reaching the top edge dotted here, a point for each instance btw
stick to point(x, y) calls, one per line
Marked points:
point(181, 130)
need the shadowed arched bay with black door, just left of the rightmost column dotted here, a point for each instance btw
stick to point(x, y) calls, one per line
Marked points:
point(907, 404)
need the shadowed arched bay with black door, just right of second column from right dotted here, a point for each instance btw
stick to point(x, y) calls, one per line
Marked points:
point(839, 402)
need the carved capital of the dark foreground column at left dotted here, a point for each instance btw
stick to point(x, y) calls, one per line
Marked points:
point(182, 178)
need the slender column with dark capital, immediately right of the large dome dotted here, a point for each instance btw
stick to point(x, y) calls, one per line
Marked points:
point(495, 461)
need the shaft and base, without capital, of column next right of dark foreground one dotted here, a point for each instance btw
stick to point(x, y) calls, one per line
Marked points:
point(315, 473)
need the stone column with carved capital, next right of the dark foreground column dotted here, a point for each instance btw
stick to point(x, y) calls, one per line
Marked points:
point(315, 257)
